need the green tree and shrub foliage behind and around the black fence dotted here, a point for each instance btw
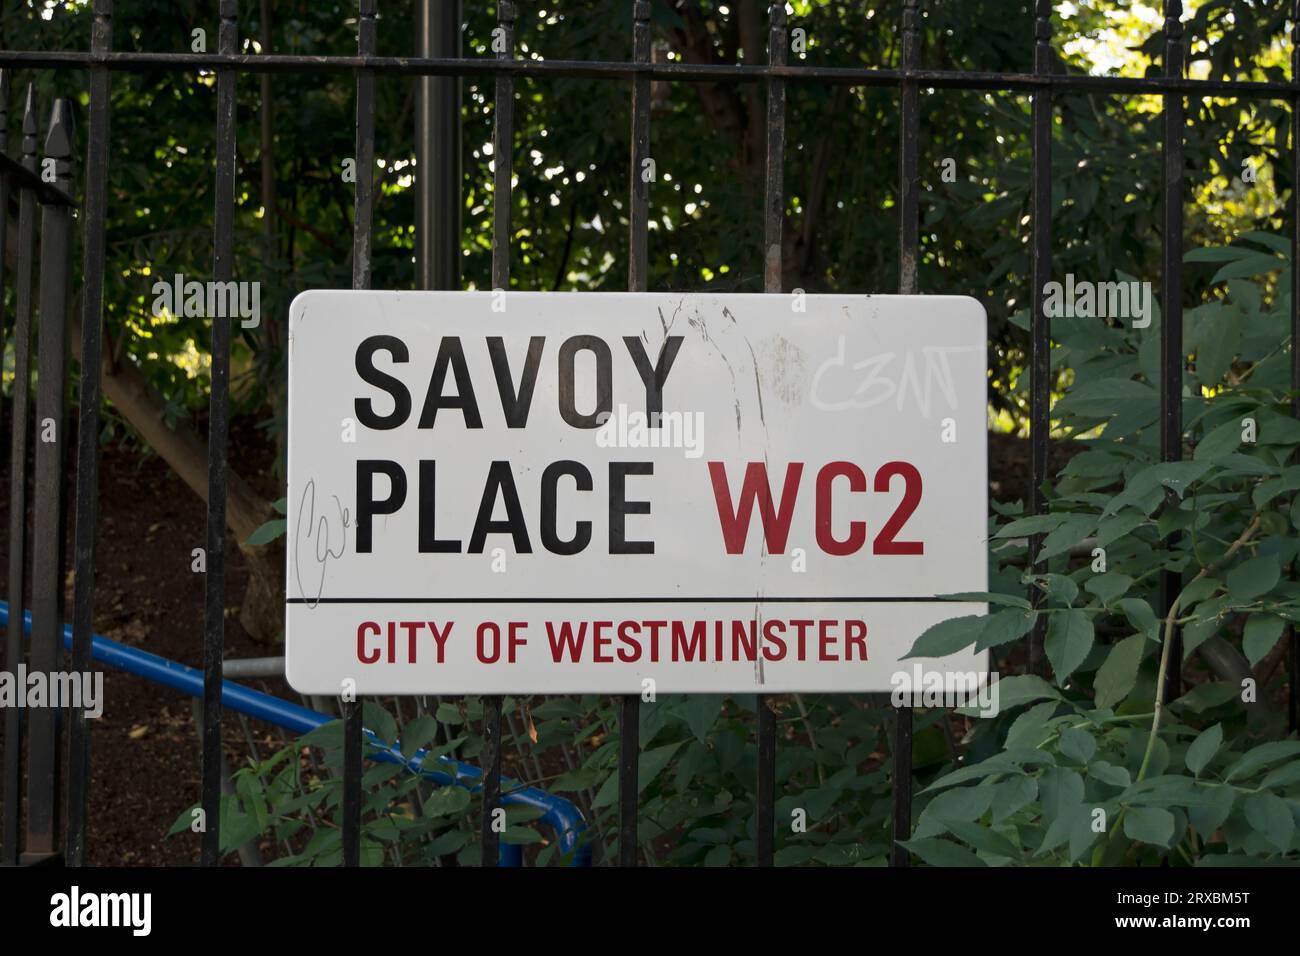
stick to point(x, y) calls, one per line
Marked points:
point(1211, 778)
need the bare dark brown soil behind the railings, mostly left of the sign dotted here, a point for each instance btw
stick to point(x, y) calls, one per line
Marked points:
point(145, 749)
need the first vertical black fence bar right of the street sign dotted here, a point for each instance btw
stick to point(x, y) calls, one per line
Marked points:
point(1041, 328)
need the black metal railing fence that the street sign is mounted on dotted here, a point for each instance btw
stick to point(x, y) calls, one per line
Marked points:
point(41, 840)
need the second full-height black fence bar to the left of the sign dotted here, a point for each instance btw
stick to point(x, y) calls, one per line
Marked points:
point(88, 435)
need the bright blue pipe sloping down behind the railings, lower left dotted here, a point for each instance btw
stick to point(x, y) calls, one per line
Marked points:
point(560, 815)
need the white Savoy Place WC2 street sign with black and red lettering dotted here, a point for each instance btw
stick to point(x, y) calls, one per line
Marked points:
point(586, 492)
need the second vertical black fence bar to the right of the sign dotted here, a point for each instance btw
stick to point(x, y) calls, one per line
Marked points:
point(1172, 315)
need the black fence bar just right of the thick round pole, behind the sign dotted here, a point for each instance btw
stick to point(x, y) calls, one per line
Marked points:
point(504, 139)
